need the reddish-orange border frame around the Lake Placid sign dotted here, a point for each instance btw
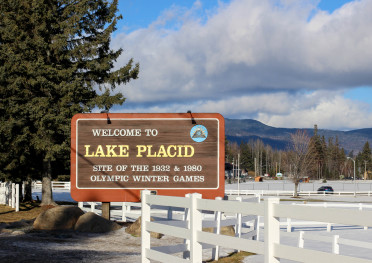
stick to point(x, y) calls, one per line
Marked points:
point(103, 194)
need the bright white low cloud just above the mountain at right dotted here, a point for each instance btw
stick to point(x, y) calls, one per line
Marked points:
point(324, 108)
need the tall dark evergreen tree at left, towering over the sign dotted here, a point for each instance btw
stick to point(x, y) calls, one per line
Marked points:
point(55, 61)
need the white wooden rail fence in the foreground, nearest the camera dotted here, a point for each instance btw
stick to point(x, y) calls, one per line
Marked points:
point(271, 248)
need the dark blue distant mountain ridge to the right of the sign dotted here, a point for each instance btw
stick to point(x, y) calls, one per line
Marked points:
point(279, 138)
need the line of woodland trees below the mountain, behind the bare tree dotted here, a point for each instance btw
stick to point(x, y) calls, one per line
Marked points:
point(329, 159)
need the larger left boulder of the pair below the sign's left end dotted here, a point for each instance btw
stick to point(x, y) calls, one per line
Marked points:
point(58, 218)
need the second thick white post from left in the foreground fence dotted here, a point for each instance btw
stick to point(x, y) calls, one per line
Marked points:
point(196, 250)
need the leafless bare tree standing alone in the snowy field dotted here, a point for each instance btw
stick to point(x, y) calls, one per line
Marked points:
point(300, 157)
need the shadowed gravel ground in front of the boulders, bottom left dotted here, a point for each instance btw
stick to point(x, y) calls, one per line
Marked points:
point(23, 244)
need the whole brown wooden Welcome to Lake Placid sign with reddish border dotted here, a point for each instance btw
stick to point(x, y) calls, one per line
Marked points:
point(114, 156)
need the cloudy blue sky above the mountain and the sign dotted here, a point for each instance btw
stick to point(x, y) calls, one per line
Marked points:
point(285, 63)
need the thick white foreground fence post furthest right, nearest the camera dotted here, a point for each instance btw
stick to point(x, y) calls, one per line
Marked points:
point(272, 230)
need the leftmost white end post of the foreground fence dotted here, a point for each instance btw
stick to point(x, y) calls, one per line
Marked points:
point(145, 217)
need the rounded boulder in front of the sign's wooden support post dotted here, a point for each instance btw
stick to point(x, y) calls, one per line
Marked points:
point(92, 223)
